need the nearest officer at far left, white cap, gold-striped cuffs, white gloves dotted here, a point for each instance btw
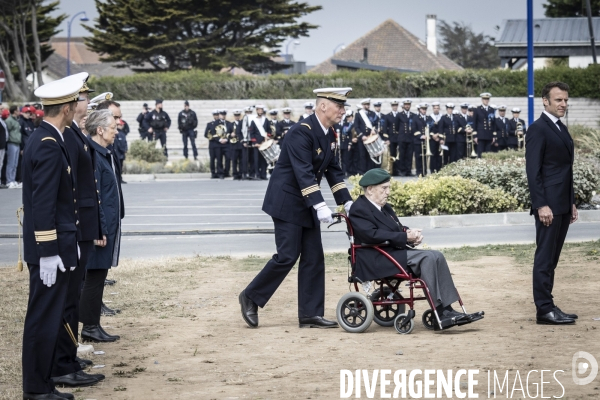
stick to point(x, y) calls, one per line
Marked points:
point(49, 234)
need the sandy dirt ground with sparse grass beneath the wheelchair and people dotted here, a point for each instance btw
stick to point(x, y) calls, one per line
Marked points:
point(182, 336)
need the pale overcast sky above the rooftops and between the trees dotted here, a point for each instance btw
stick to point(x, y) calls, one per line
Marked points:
point(343, 21)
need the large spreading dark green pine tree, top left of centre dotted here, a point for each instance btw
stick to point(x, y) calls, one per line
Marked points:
point(205, 34)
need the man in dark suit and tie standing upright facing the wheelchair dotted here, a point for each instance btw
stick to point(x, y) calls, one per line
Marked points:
point(549, 166)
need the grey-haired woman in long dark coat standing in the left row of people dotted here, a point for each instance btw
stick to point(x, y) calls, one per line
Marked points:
point(102, 127)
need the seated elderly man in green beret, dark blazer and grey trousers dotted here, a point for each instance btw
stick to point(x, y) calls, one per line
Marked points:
point(374, 222)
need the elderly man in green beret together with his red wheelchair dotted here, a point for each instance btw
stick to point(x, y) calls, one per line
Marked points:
point(383, 251)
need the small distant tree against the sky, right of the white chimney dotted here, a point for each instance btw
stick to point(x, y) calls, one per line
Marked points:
point(466, 48)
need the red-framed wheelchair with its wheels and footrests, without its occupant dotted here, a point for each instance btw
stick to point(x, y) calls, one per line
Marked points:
point(381, 299)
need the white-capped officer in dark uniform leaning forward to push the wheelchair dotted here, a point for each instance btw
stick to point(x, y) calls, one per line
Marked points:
point(295, 203)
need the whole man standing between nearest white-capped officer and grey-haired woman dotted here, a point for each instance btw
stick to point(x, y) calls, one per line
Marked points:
point(67, 369)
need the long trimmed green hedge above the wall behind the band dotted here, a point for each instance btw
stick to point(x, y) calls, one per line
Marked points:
point(208, 85)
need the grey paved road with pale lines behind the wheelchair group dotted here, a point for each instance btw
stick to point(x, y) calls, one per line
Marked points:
point(225, 204)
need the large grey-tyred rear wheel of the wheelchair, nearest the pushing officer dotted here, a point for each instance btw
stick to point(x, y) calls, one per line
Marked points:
point(354, 312)
